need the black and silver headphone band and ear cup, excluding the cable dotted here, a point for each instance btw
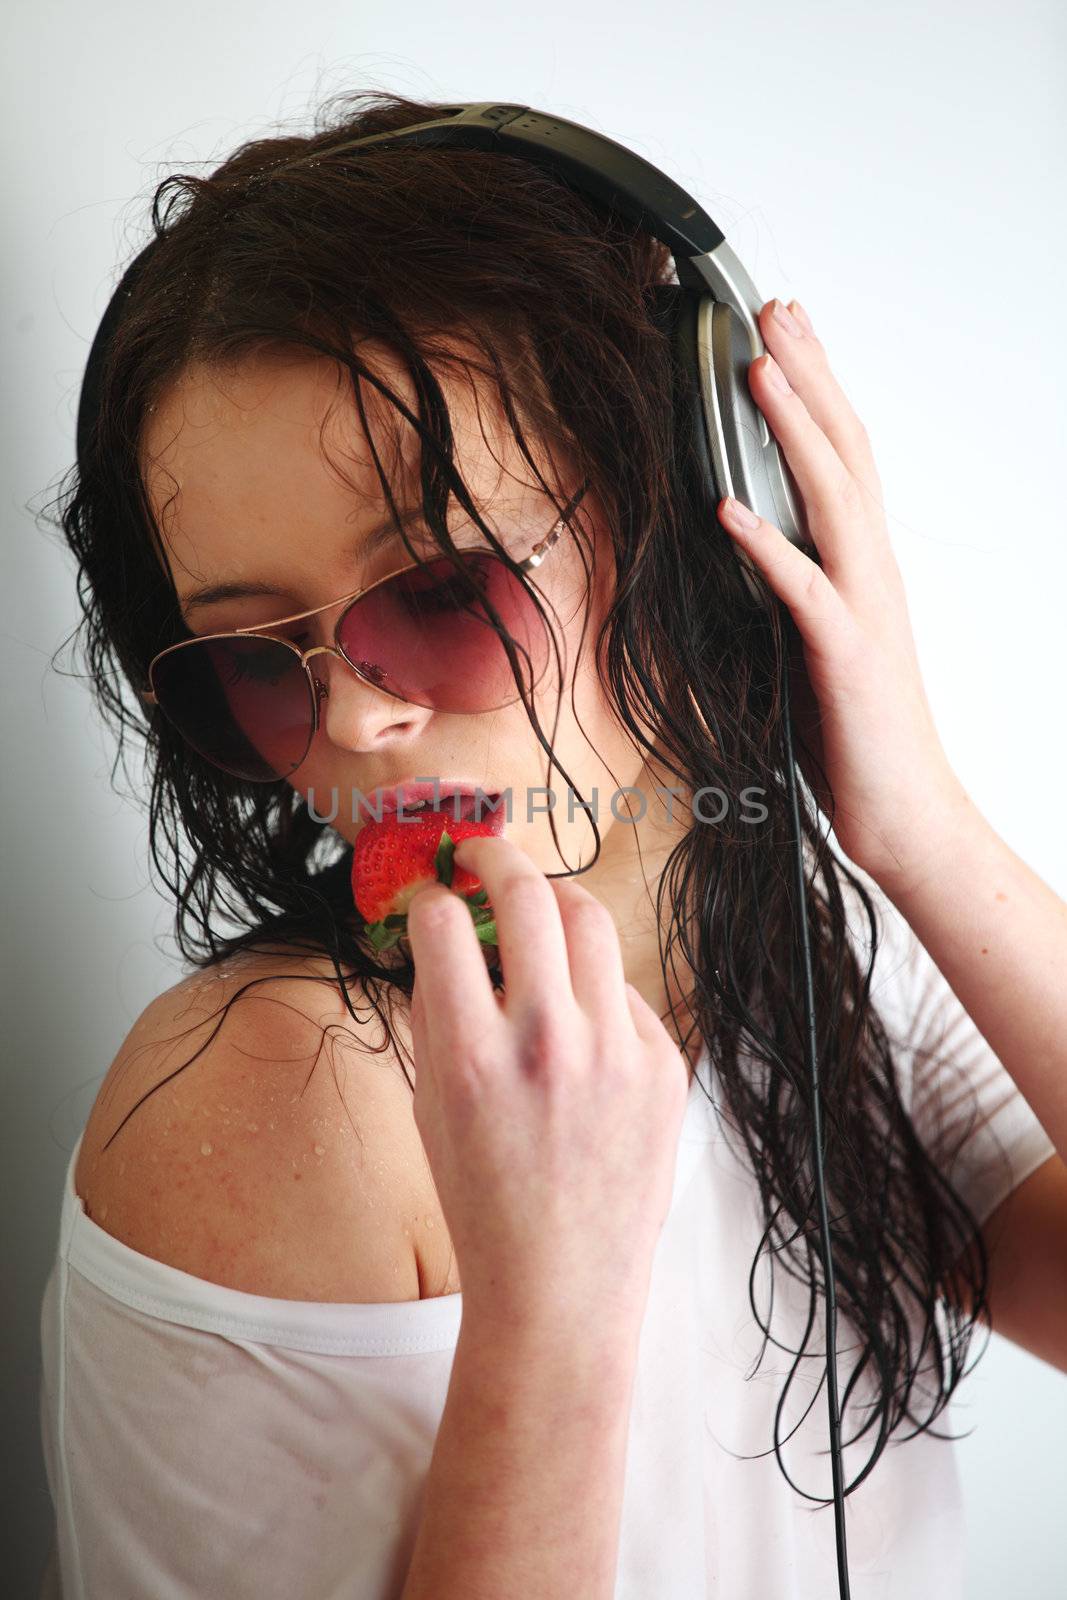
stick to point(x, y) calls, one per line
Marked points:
point(711, 314)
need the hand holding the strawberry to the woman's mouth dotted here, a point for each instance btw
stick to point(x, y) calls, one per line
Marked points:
point(551, 1113)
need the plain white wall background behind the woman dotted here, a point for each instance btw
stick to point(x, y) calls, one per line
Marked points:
point(898, 169)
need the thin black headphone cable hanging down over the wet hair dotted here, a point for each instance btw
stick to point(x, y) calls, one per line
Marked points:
point(817, 1122)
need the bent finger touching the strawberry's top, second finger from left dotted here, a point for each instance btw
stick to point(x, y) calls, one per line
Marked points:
point(530, 934)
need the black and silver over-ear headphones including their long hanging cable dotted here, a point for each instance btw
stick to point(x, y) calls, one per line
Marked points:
point(711, 321)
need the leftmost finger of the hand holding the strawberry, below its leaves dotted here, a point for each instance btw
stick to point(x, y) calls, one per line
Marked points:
point(452, 986)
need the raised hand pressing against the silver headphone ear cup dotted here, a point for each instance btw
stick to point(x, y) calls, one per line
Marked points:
point(860, 706)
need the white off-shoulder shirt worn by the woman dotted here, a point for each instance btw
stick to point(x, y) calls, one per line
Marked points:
point(206, 1444)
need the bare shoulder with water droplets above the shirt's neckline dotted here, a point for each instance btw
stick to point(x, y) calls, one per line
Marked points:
point(270, 1148)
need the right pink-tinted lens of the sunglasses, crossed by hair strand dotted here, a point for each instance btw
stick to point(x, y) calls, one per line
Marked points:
point(428, 638)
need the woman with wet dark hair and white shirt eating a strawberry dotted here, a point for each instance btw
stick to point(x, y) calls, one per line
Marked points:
point(596, 1145)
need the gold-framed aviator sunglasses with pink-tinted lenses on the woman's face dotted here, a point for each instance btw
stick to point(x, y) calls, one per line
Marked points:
point(250, 703)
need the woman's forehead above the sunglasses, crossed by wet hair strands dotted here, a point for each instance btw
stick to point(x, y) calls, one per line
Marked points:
point(274, 449)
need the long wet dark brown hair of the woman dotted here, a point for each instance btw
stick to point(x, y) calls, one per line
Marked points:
point(290, 246)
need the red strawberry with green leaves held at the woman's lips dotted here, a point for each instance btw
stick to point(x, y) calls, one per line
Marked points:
point(398, 857)
